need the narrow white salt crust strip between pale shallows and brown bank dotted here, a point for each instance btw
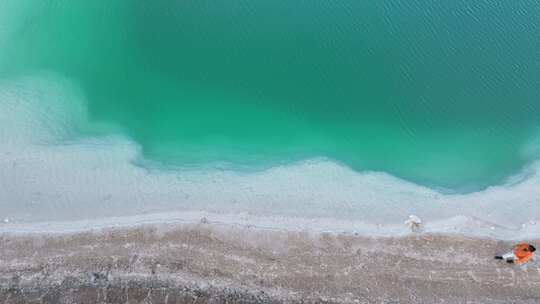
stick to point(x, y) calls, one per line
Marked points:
point(466, 226)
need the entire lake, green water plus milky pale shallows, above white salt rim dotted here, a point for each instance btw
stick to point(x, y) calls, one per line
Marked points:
point(357, 110)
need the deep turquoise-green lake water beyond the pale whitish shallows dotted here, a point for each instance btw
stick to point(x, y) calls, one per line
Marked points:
point(444, 94)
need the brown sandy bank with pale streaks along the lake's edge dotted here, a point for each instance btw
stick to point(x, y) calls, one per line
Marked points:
point(211, 263)
